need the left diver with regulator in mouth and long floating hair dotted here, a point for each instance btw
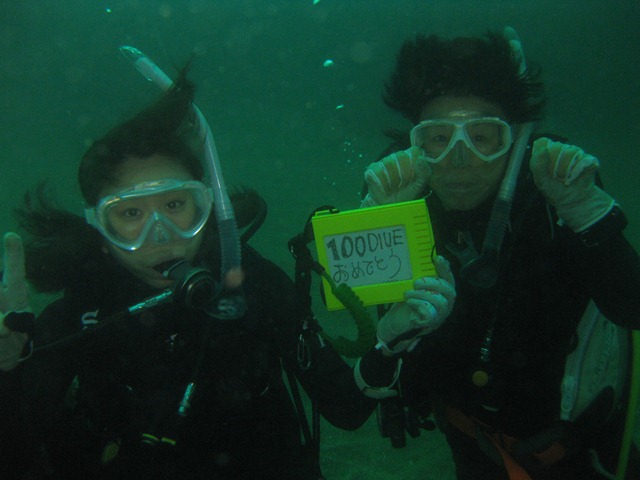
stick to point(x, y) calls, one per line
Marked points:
point(149, 365)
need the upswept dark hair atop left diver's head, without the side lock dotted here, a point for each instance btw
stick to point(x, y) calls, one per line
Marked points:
point(162, 128)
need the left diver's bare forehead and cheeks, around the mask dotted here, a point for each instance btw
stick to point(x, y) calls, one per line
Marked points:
point(141, 262)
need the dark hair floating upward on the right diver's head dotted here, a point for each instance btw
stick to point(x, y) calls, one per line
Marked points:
point(485, 67)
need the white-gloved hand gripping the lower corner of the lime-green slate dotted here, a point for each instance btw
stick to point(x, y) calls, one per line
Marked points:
point(425, 309)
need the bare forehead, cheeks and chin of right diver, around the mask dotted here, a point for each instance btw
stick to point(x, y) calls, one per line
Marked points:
point(461, 180)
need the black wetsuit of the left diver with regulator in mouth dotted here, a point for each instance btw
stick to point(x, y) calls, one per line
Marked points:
point(106, 406)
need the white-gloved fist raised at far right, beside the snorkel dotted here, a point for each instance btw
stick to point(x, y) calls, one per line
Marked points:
point(565, 175)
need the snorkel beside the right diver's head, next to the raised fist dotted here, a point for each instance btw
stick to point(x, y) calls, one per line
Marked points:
point(482, 271)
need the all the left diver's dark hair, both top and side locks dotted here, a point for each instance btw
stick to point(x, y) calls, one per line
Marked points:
point(62, 250)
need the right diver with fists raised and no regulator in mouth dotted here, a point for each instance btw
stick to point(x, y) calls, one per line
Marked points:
point(529, 249)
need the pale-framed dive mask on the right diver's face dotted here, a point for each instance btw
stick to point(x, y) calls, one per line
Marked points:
point(488, 138)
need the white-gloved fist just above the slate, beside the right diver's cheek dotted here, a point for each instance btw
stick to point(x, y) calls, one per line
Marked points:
point(399, 177)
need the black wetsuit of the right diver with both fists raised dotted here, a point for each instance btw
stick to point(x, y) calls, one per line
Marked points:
point(547, 275)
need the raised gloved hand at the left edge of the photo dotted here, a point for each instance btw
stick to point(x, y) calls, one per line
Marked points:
point(15, 316)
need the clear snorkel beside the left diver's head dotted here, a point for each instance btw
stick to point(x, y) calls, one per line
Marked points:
point(234, 306)
